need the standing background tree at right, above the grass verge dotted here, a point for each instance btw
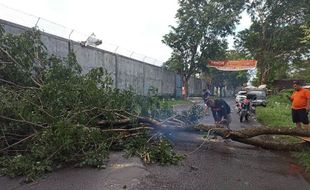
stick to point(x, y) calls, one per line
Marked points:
point(274, 36)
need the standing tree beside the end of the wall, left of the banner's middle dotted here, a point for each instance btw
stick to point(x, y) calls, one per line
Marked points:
point(199, 34)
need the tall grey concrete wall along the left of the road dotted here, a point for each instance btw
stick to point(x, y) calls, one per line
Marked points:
point(126, 72)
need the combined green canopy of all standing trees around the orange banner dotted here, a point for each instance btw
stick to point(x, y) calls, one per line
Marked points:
point(278, 39)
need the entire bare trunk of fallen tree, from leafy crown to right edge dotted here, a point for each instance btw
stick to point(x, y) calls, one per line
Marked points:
point(248, 136)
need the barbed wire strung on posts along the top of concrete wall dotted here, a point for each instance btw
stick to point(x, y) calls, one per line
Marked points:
point(29, 20)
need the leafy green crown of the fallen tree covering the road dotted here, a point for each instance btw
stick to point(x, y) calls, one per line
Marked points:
point(49, 113)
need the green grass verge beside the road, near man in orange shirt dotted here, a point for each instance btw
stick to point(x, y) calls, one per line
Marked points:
point(278, 114)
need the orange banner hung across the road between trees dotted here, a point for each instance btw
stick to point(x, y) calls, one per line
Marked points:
point(238, 65)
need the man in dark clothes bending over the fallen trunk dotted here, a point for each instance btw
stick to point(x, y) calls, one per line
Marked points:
point(220, 111)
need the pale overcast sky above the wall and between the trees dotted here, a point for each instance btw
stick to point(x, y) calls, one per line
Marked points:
point(133, 25)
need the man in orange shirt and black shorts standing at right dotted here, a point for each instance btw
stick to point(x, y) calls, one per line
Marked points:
point(300, 105)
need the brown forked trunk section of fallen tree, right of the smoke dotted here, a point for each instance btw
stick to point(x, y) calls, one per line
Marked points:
point(249, 136)
